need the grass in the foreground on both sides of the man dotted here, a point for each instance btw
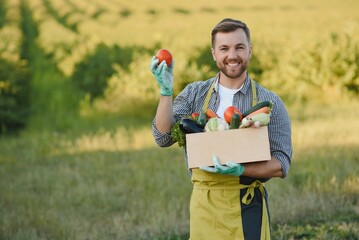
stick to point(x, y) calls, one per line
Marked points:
point(54, 186)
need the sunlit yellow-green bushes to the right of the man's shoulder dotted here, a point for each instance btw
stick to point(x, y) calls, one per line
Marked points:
point(321, 69)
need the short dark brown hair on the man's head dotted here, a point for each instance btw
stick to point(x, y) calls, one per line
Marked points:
point(230, 25)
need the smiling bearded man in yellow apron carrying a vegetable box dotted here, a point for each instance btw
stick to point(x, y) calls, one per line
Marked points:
point(228, 201)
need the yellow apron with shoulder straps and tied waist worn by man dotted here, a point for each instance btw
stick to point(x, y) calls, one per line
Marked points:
point(215, 208)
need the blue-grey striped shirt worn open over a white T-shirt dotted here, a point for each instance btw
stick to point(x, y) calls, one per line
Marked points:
point(192, 98)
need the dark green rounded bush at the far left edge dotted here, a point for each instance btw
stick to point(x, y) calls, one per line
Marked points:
point(14, 96)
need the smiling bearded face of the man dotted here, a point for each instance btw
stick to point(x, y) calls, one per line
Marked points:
point(232, 53)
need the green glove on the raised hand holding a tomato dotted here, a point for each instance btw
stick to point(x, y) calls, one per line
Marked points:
point(163, 75)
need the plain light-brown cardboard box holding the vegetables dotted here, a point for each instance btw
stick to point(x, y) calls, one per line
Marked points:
point(236, 145)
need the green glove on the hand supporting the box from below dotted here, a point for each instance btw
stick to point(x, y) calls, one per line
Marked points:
point(231, 168)
